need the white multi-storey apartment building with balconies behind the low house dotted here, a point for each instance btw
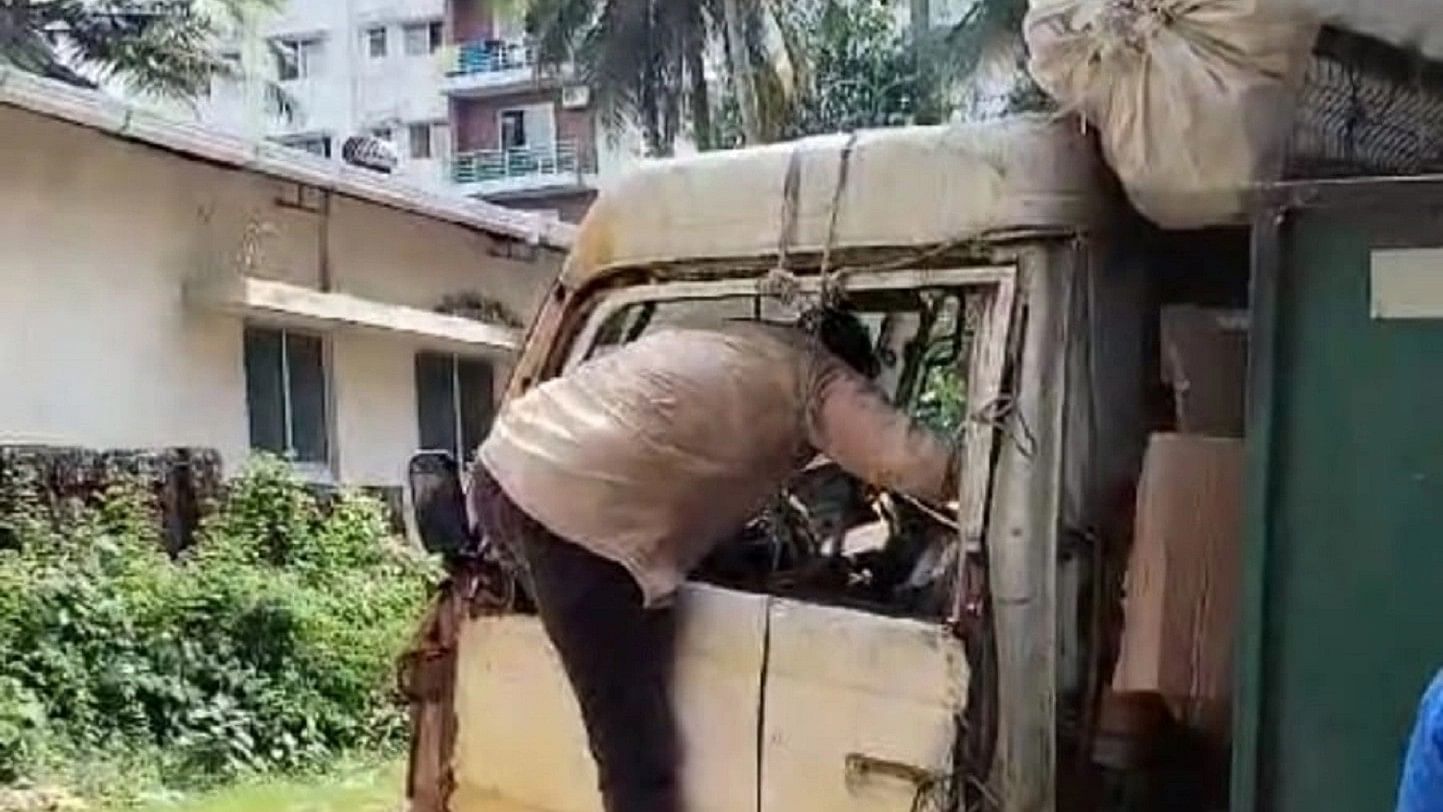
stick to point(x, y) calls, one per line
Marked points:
point(451, 84)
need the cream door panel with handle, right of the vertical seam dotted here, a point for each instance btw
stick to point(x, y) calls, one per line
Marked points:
point(861, 710)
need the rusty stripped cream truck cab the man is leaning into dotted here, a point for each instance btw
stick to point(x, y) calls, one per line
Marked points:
point(849, 651)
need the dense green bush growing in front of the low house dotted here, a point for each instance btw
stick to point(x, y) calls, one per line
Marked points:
point(269, 647)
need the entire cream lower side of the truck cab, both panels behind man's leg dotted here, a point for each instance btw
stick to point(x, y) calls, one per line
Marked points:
point(783, 706)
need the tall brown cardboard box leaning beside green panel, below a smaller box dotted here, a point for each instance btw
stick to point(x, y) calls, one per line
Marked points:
point(1183, 581)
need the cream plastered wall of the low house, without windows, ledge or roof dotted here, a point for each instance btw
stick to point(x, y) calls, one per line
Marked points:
point(100, 350)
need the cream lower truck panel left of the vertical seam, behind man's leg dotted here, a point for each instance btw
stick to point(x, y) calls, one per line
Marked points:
point(520, 743)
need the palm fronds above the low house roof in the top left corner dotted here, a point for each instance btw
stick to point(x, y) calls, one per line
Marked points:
point(162, 48)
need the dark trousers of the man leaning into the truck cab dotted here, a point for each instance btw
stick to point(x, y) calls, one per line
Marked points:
point(617, 654)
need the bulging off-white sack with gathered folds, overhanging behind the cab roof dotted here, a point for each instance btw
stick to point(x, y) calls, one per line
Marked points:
point(1193, 99)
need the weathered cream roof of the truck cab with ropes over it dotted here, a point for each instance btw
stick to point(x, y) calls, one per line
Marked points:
point(913, 187)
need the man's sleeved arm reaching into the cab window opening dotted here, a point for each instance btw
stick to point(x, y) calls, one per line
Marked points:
point(851, 422)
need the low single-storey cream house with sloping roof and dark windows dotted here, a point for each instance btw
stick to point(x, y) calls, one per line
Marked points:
point(240, 296)
